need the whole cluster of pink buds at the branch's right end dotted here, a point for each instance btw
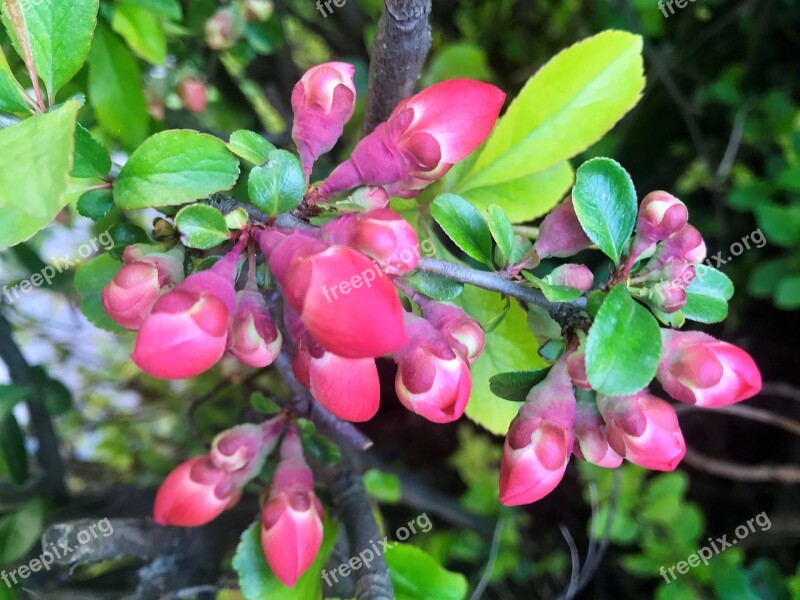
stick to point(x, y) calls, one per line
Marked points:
point(563, 415)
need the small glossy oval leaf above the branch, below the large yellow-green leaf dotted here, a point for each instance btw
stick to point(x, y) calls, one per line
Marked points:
point(464, 225)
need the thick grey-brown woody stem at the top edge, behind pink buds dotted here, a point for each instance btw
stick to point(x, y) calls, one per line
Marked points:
point(402, 41)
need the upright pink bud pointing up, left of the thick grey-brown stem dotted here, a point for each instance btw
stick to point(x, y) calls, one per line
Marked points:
point(323, 101)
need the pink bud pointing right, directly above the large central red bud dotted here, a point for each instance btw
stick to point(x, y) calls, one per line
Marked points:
point(381, 234)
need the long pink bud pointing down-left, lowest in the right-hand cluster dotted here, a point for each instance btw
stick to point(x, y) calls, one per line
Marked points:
point(540, 440)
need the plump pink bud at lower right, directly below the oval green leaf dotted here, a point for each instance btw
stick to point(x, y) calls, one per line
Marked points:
point(644, 429)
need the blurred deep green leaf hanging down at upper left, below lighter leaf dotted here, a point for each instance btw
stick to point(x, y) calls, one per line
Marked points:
point(115, 89)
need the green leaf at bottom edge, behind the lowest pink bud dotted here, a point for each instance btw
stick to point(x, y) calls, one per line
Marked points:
point(259, 583)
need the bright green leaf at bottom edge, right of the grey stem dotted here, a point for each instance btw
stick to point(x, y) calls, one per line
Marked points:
point(416, 575)
